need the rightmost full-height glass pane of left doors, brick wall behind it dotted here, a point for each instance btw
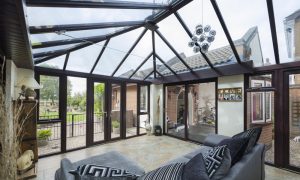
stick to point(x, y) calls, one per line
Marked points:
point(131, 110)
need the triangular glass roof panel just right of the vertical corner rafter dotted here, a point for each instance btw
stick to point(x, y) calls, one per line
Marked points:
point(167, 55)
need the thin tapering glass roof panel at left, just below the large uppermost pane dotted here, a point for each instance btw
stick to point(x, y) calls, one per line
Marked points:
point(72, 34)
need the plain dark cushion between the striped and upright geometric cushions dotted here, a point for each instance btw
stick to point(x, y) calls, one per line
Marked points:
point(195, 169)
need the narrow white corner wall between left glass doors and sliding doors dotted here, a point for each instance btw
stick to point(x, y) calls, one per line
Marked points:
point(156, 105)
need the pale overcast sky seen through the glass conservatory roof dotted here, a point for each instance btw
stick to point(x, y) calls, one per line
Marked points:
point(239, 16)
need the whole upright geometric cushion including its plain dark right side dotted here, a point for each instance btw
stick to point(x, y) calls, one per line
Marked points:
point(217, 162)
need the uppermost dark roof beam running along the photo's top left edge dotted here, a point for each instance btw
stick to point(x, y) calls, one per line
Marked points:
point(95, 4)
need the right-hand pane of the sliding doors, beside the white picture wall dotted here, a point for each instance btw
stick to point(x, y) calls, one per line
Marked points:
point(202, 111)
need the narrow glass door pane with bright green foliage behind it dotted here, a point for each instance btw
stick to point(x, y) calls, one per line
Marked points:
point(100, 112)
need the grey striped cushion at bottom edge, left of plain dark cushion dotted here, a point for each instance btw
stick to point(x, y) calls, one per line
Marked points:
point(169, 172)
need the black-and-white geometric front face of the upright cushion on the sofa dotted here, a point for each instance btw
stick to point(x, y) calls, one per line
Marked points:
point(213, 159)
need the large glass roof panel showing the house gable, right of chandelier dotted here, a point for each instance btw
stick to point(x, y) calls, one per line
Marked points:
point(254, 32)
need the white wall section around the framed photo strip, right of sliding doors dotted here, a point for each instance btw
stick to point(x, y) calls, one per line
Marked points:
point(230, 114)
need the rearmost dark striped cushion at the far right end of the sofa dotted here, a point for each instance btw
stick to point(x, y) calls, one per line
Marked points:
point(253, 135)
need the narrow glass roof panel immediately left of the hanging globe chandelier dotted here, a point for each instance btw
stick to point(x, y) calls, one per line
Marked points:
point(179, 40)
